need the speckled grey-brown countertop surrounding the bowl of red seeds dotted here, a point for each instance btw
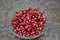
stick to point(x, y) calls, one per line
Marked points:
point(52, 31)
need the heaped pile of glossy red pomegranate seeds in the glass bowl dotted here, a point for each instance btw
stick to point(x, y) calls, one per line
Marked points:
point(28, 22)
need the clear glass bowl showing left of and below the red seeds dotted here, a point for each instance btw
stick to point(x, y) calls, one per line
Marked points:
point(10, 27)
